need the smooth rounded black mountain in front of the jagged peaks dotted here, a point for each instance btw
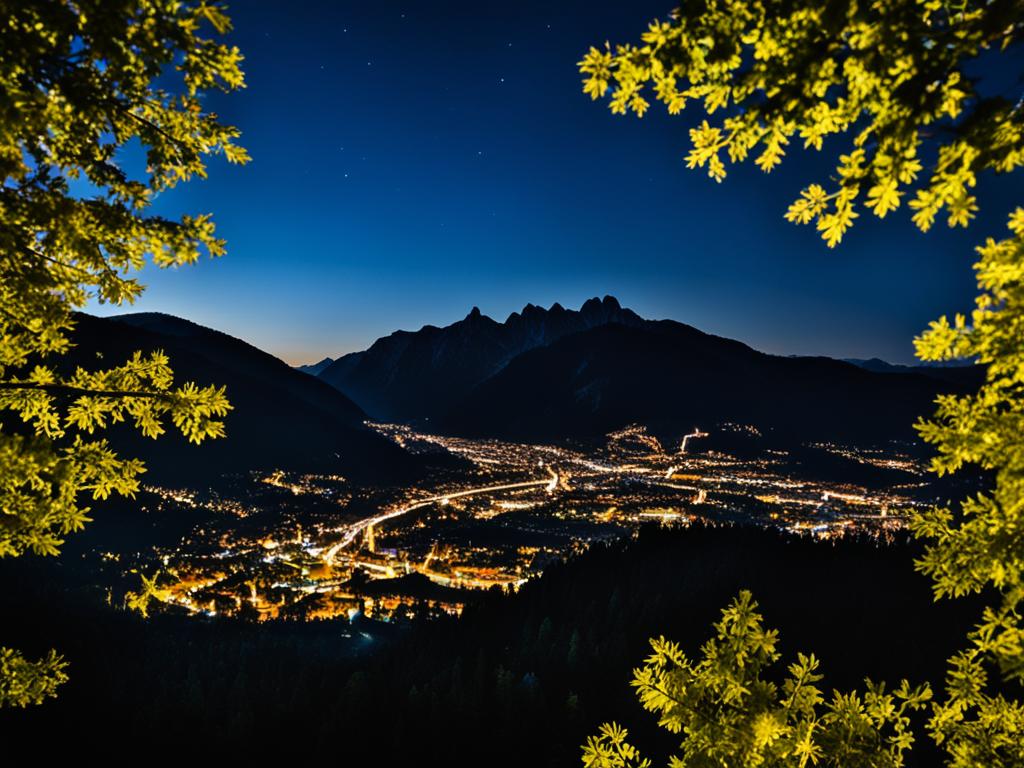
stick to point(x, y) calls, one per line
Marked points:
point(671, 377)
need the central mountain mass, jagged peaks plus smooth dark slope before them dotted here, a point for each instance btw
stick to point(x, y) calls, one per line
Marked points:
point(554, 374)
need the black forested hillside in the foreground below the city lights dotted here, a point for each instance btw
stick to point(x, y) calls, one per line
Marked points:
point(520, 679)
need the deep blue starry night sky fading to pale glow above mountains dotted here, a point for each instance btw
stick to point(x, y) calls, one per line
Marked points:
point(411, 161)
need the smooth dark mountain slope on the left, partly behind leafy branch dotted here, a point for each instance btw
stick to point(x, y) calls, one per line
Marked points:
point(281, 419)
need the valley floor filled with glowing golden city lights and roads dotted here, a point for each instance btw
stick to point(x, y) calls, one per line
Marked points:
point(279, 545)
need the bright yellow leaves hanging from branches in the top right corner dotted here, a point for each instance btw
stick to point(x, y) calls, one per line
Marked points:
point(815, 70)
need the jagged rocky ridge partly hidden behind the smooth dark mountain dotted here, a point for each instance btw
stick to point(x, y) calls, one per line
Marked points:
point(415, 375)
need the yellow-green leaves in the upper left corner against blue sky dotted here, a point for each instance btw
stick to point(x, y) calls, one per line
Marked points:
point(82, 76)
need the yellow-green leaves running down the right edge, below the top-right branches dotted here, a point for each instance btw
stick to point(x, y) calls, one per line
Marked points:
point(982, 544)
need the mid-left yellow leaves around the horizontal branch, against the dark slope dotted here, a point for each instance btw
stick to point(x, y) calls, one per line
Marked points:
point(41, 479)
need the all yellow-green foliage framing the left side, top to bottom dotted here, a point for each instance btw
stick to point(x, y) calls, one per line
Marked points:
point(79, 82)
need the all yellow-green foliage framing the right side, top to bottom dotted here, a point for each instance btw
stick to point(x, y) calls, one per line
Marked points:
point(891, 73)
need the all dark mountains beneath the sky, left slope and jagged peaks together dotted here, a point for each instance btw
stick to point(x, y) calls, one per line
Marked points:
point(542, 375)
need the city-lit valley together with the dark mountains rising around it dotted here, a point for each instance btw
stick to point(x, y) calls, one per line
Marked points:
point(406, 481)
